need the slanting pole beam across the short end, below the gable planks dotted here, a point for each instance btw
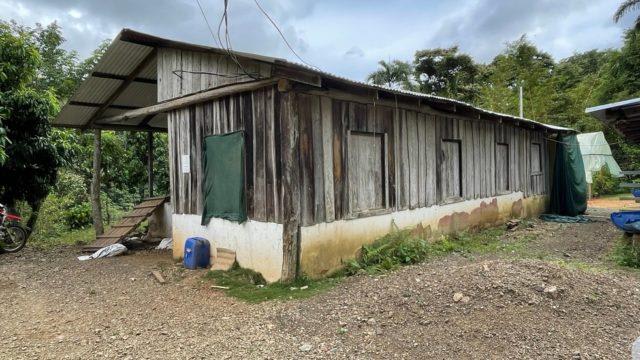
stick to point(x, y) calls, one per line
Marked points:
point(190, 100)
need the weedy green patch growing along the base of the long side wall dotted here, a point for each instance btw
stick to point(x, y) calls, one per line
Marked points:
point(402, 248)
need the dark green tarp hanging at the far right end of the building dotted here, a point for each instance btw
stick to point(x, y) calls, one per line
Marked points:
point(569, 188)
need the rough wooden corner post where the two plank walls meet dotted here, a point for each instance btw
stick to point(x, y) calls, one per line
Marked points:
point(290, 186)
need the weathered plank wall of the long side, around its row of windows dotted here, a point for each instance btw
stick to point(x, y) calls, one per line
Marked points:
point(414, 146)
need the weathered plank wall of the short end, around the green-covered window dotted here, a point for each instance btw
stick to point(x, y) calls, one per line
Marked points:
point(254, 112)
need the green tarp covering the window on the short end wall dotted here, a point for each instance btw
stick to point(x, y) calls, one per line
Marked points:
point(223, 170)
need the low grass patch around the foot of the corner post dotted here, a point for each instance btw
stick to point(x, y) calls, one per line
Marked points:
point(250, 286)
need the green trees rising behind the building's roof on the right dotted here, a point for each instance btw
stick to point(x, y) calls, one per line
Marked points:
point(554, 92)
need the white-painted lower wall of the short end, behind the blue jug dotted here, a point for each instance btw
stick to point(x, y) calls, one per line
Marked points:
point(258, 245)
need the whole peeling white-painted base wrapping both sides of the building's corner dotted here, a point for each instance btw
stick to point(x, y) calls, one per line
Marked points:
point(324, 247)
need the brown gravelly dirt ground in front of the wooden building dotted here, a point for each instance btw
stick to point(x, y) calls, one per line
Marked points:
point(55, 307)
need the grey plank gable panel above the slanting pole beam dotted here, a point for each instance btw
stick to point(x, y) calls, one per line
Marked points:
point(182, 72)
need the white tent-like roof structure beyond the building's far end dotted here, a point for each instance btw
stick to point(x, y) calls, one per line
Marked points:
point(596, 153)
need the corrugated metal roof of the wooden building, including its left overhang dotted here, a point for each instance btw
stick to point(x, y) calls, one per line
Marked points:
point(130, 48)
